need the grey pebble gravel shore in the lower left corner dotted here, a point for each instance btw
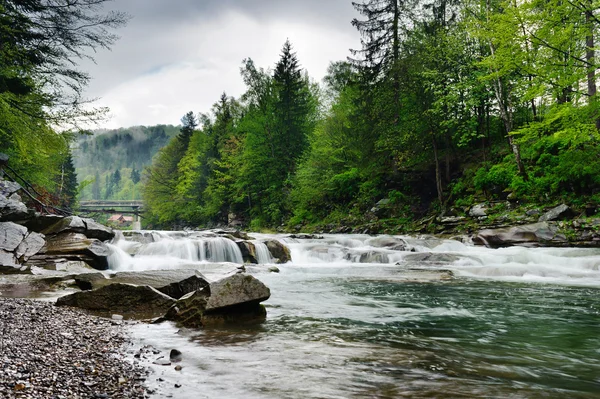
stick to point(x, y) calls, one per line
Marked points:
point(63, 353)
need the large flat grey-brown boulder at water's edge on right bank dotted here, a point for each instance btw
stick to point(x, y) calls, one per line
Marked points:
point(530, 235)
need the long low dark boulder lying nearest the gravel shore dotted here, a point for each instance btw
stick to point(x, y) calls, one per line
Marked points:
point(127, 299)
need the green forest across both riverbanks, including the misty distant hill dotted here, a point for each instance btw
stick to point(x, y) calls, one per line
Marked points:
point(444, 105)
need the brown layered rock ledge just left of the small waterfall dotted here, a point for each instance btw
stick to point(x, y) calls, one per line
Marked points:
point(68, 244)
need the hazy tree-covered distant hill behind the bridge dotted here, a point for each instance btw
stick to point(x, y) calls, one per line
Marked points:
point(109, 163)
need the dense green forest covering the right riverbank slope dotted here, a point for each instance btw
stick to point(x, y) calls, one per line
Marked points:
point(445, 104)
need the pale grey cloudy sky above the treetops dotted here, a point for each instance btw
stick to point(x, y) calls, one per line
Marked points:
point(176, 56)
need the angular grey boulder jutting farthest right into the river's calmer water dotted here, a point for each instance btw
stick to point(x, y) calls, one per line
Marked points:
point(235, 290)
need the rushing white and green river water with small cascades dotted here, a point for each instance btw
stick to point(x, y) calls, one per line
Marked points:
point(512, 323)
